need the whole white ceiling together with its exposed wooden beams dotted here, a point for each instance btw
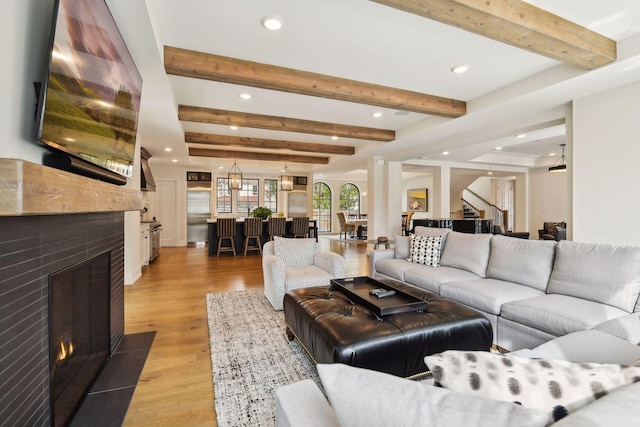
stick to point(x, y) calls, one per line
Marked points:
point(316, 82)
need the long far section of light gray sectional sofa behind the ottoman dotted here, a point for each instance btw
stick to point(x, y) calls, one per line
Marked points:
point(532, 291)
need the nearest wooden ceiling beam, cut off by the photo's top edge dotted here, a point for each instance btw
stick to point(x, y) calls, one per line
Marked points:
point(519, 24)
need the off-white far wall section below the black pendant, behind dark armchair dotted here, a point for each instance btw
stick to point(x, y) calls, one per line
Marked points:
point(548, 195)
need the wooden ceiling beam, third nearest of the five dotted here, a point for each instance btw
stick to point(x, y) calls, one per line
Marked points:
point(260, 121)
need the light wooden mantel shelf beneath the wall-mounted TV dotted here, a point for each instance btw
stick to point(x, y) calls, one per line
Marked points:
point(30, 189)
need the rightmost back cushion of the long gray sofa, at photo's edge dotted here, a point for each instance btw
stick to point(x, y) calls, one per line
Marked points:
point(597, 272)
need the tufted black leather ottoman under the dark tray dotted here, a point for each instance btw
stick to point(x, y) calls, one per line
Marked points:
point(334, 330)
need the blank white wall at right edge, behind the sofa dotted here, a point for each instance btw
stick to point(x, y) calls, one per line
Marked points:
point(606, 176)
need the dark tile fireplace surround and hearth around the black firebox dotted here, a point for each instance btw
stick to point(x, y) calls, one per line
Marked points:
point(32, 248)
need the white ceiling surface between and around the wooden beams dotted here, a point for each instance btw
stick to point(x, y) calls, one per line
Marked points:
point(507, 90)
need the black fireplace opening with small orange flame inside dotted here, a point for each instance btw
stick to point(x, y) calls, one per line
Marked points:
point(79, 340)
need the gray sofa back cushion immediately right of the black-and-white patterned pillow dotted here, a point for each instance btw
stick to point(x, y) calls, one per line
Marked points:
point(467, 251)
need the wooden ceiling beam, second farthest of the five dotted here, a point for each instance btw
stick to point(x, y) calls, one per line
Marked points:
point(269, 144)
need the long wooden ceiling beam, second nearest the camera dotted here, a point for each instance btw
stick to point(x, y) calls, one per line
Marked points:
point(189, 63)
